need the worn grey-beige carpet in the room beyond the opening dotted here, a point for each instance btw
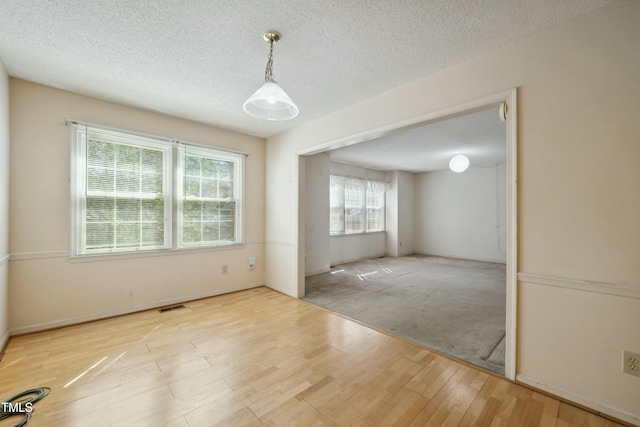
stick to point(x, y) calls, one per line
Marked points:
point(453, 306)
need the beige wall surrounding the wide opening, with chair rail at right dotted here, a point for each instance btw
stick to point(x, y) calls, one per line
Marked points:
point(578, 206)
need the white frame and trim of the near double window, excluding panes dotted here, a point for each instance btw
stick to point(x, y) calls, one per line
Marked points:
point(173, 180)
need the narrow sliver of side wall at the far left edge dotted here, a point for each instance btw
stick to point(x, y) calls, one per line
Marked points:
point(4, 205)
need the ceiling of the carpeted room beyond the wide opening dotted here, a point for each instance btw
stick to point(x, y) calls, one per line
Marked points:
point(481, 136)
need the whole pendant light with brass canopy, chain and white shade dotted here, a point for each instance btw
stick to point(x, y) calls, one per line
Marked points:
point(270, 102)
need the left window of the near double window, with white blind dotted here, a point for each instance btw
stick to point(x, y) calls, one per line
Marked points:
point(123, 198)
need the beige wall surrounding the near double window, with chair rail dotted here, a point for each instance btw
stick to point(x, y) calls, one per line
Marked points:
point(47, 287)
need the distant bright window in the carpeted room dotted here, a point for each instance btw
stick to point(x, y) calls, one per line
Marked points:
point(356, 205)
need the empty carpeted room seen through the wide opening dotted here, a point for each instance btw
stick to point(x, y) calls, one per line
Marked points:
point(415, 248)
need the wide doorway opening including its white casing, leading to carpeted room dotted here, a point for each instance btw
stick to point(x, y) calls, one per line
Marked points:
point(425, 230)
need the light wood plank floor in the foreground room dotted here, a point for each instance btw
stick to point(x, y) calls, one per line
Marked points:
point(258, 358)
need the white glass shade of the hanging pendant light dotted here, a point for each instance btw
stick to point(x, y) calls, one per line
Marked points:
point(270, 102)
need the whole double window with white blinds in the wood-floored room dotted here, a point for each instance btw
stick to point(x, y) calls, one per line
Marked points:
point(123, 194)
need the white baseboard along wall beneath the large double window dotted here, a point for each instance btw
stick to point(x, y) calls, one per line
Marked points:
point(150, 306)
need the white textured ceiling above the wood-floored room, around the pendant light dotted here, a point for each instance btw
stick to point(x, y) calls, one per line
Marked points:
point(201, 59)
